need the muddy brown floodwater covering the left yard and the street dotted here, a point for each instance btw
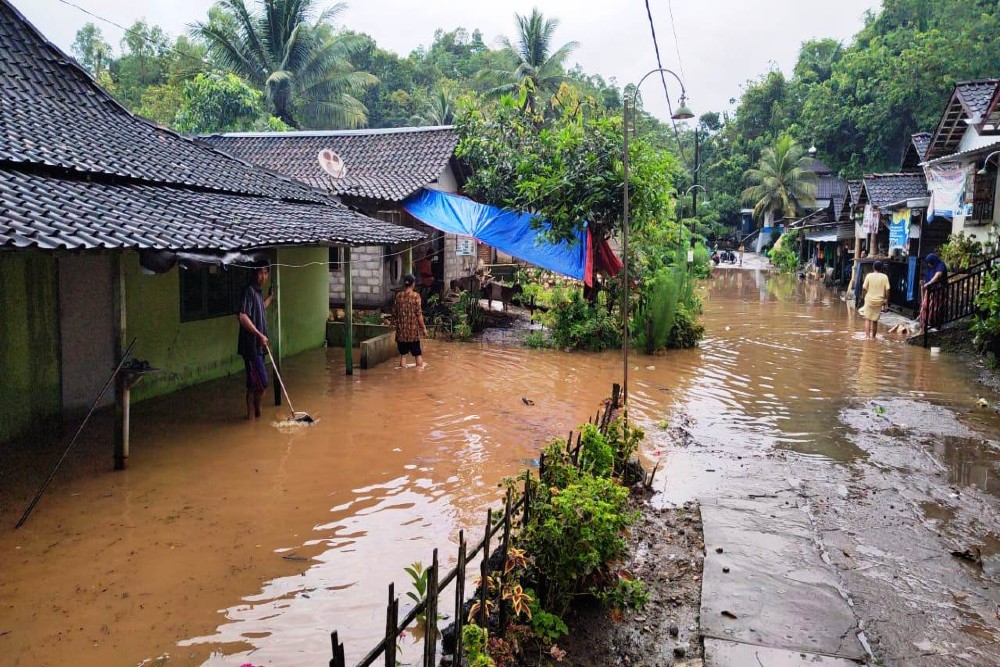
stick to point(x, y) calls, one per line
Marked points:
point(227, 542)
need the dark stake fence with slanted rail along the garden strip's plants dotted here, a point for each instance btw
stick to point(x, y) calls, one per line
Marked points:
point(515, 510)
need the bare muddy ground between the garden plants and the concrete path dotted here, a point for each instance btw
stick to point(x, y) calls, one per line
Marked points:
point(667, 553)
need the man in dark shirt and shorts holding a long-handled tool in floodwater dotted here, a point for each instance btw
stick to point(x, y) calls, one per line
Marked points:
point(252, 343)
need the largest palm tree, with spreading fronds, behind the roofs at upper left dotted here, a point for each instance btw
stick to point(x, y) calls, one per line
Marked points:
point(302, 66)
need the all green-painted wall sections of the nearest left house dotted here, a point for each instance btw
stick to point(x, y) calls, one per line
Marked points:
point(186, 353)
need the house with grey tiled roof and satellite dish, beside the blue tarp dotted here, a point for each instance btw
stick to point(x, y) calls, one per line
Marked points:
point(381, 168)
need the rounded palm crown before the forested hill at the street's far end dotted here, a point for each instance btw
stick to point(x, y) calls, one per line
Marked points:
point(781, 183)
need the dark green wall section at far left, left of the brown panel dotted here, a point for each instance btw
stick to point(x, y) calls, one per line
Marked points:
point(29, 340)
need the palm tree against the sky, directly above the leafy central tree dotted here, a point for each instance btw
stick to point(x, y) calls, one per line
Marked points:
point(533, 63)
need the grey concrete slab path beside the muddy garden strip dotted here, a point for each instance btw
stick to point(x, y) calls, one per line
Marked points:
point(768, 595)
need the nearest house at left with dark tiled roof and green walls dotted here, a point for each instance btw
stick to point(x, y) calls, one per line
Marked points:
point(99, 209)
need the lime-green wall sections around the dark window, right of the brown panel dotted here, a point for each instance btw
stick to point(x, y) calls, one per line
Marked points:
point(192, 352)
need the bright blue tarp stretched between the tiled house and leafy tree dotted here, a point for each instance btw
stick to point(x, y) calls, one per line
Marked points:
point(507, 231)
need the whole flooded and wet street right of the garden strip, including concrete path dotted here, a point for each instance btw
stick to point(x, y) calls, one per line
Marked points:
point(879, 450)
